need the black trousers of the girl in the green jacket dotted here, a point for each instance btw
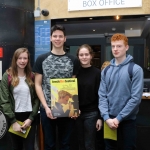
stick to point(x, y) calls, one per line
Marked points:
point(20, 143)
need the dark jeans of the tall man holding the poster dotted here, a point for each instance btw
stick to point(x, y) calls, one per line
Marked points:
point(65, 127)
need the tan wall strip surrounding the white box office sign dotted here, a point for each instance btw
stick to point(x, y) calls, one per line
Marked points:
point(59, 9)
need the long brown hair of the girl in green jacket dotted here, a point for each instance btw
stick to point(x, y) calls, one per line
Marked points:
point(13, 71)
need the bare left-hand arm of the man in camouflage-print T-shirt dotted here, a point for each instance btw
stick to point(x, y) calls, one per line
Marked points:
point(39, 91)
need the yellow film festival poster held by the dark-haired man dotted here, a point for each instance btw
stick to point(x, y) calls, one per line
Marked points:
point(64, 97)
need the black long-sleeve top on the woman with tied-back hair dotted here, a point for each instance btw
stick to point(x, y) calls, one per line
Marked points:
point(88, 85)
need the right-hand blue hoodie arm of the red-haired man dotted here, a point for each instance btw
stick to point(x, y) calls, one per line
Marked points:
point(136, 95)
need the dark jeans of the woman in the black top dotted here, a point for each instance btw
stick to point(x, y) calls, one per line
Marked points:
point(86, 127)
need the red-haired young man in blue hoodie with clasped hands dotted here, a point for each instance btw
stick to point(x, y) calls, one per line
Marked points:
point(120, 95)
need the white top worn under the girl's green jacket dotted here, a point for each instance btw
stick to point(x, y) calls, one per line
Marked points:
point(22, 96)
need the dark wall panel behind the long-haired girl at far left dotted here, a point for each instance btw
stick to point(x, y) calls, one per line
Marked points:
point(16, 28)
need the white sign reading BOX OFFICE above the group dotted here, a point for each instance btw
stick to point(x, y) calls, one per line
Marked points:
point(75, 5)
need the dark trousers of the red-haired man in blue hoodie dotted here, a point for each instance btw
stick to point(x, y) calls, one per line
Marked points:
point(126, 134)
